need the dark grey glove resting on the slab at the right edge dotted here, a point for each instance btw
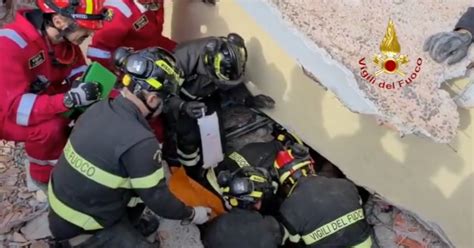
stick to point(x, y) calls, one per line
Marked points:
point(452, 46)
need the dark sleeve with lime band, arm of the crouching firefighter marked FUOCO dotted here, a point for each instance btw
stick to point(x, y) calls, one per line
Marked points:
point(143, 164)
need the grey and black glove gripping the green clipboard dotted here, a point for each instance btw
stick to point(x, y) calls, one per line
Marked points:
point(82, 94)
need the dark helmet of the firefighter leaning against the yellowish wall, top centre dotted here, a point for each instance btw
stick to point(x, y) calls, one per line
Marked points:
point(227, 57)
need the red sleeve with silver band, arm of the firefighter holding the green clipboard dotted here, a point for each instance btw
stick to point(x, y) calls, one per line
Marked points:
point(22, 107)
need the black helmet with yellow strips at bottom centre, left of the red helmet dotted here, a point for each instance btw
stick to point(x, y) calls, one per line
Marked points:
point(245, 187)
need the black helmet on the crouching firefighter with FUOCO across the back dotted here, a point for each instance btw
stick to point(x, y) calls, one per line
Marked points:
point(151, 69)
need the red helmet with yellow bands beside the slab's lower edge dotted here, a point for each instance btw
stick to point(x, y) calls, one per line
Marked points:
point(293, 164)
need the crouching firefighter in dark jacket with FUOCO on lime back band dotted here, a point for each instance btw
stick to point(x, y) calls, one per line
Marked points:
point(111, 167)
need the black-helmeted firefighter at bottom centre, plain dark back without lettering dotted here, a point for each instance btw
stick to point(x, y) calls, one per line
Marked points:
point(243, 226)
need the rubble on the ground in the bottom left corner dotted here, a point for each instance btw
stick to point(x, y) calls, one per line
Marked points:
point(23, 213)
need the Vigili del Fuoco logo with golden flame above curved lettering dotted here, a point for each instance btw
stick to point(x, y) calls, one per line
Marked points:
point(390, 61)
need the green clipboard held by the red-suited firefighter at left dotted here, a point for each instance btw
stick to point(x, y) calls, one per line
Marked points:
point(101, 75)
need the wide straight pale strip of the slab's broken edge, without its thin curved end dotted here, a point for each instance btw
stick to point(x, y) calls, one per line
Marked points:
point(291, 40)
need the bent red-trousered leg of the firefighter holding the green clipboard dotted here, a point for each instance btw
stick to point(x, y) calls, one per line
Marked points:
point(43, 144)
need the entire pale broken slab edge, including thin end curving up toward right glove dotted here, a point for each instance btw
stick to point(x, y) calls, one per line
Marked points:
point(304, 51)
